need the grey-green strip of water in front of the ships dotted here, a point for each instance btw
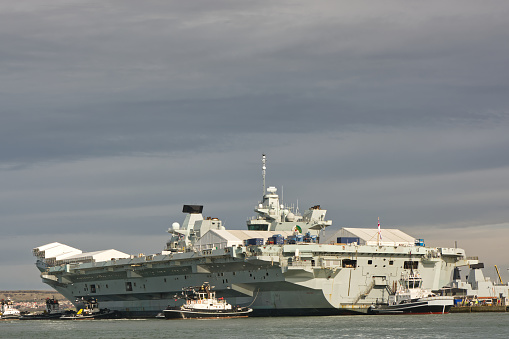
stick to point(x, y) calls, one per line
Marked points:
point(472, 325)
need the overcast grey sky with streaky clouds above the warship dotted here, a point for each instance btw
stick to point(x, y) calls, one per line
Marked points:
point(116, 113)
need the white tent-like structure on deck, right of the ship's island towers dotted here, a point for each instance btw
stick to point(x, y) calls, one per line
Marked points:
point(370, 236)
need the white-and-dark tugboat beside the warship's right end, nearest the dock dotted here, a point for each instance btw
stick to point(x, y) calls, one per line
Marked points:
point(411, 298)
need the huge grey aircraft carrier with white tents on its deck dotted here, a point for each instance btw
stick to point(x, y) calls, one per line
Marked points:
point(281, 265)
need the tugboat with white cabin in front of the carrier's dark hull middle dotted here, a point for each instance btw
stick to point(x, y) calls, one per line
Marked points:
point(202, 303)
